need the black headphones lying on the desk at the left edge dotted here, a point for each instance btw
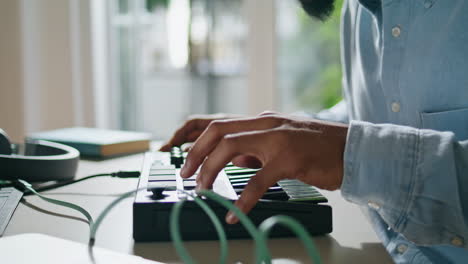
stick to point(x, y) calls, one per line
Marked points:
point(36, 160)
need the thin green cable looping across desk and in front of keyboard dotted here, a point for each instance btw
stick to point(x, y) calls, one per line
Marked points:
point(260, 236)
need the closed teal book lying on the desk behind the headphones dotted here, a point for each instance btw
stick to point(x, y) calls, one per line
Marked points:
point(95, 142)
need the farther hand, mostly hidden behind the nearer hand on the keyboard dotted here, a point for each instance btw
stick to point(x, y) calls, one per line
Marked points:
point(192, 129)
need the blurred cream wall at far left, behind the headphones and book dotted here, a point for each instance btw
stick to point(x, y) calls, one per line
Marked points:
point(45, 65)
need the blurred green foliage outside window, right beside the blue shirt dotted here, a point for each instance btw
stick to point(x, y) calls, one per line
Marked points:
point(318, 87)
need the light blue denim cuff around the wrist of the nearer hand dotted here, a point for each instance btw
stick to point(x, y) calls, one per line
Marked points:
point(379, 167)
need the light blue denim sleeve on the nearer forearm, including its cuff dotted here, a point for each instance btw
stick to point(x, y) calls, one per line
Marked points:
point(416, 180)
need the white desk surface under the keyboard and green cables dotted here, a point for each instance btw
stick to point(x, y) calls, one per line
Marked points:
point(352, 239)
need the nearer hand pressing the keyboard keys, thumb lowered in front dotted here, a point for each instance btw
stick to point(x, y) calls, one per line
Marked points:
point(284, 147)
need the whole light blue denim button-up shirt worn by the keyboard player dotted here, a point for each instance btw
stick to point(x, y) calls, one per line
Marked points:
point(405, 65)
